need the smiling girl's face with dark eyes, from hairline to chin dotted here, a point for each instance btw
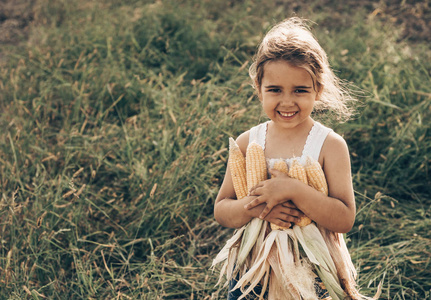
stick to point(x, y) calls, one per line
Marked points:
point(287, 94)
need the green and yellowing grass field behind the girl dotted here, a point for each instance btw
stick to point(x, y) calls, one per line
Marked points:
point(115, 120)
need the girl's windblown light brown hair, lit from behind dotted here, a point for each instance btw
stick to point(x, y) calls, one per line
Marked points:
point(292, 41)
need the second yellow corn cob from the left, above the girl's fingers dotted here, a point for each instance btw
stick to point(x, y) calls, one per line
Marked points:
point(255, 165)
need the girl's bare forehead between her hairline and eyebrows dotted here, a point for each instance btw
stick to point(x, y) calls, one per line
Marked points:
point(280, 72)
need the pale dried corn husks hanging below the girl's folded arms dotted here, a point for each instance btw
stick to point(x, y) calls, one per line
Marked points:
point(284, 262)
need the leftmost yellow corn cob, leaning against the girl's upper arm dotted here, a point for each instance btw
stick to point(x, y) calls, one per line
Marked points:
point(237, 169)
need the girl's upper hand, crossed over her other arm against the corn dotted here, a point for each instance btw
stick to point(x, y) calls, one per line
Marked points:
point(272, 192)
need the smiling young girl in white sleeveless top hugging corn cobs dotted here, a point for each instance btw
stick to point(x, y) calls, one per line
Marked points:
point(292, 78)
